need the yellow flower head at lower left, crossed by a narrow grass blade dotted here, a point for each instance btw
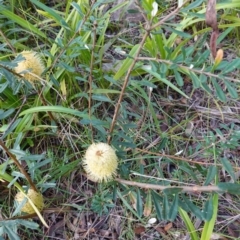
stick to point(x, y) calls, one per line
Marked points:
point(36, 198)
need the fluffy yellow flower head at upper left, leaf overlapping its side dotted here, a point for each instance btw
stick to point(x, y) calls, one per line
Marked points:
point(30, 66)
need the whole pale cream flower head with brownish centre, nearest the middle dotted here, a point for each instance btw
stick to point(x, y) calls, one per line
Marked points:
point(100, 162)
